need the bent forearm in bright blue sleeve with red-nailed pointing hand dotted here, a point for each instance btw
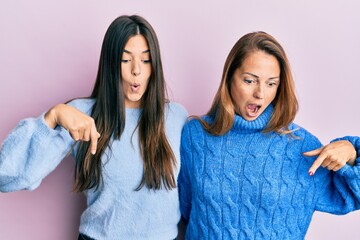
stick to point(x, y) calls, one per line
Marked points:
point(339, 189)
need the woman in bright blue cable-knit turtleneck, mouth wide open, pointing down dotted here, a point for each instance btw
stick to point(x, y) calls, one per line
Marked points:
point(247, 171)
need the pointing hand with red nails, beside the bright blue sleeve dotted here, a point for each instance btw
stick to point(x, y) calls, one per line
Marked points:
point(333, 156)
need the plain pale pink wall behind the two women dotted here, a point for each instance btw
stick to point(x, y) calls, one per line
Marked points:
point(49, 53)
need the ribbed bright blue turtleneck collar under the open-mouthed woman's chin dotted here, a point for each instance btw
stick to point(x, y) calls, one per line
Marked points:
point(259, 124)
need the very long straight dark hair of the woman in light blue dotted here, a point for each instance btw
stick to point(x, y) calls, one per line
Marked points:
point(109, 111)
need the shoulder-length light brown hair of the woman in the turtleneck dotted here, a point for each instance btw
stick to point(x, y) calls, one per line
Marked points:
point(285, 102)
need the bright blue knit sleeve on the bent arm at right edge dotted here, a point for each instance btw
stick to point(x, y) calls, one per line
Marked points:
point(341, 190)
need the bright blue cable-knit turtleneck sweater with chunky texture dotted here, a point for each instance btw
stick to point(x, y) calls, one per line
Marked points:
point(250, 185)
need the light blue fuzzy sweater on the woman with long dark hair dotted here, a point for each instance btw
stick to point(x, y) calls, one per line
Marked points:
point(116, 211)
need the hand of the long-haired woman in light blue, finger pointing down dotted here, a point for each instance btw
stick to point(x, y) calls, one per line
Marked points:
point(79, 125)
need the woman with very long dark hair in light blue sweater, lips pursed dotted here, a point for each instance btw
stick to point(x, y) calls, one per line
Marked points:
point(127, 159)
